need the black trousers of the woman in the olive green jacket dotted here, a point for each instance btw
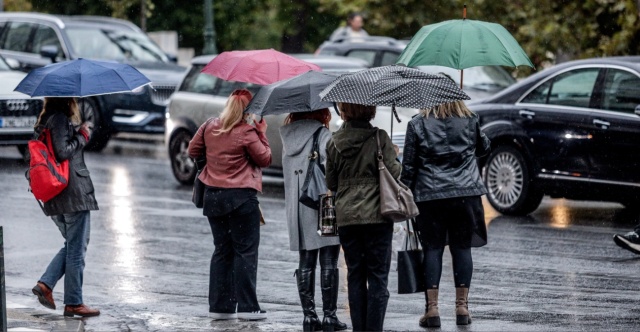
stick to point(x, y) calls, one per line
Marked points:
point(367, 252)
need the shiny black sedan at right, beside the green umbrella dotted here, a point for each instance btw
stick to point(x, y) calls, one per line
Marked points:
point(570, 131)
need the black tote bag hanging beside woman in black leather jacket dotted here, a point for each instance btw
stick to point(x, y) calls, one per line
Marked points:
point(411, 278)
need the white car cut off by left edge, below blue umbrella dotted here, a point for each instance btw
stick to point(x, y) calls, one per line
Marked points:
point(18, 112)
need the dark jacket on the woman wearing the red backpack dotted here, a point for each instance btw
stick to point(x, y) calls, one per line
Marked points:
point(68, 145)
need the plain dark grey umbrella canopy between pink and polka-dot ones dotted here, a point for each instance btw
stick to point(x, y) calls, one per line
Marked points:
point(297, 94)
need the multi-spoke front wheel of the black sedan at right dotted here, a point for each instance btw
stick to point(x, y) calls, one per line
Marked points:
point(508, 180)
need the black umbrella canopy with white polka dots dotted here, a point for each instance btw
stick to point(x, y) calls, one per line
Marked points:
point(393, 86)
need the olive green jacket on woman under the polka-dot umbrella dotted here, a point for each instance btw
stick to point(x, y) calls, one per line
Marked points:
point(352, 172)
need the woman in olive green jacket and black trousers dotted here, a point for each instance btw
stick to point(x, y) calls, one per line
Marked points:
point(352, 172)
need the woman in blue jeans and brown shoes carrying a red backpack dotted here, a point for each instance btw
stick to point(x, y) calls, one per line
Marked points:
point(69, 209)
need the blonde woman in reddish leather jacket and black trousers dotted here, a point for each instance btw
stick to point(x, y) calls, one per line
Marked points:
point(235, 152)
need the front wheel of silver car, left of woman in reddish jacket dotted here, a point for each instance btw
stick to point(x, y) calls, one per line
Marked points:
point(183, 167)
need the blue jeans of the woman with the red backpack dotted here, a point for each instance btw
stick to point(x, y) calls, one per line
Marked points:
point(69, 261)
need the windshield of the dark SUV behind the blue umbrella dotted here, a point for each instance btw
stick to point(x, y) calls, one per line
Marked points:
point(113, 45)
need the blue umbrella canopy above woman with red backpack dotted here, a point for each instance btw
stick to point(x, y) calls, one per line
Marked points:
point(81, 78)
